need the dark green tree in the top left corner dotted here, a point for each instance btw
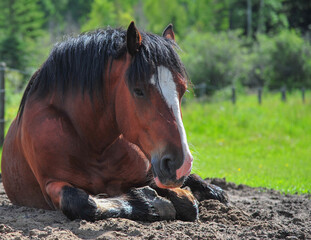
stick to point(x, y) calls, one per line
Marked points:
point(20, 26)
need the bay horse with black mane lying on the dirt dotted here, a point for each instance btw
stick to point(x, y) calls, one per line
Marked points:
point(99, 132)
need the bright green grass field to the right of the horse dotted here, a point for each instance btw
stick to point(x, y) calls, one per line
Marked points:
point(267, 145)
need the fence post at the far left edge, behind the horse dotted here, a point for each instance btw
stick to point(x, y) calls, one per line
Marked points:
point(2, 101)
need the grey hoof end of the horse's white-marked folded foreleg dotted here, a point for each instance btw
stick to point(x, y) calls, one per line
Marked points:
point(158, 208)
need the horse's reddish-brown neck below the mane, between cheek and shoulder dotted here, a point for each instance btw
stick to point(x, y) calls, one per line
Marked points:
point(96, 121)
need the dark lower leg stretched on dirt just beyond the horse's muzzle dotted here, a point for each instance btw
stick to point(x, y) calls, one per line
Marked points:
point(203, 191)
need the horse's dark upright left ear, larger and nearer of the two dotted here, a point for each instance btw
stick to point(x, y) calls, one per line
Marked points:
point(133, 39)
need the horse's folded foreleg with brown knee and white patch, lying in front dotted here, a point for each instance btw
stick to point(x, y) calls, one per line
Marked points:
point(138, 204)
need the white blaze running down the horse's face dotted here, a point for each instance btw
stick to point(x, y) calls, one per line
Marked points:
point(169, 93)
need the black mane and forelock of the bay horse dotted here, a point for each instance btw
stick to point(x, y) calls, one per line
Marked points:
point(79, 63)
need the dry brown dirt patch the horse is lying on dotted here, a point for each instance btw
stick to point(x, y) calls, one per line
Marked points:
point(253, 213)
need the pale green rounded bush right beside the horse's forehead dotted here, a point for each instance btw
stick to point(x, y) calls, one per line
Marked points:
point(213, 58)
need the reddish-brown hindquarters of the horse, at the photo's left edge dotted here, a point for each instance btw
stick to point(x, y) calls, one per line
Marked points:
point(19, 181)
